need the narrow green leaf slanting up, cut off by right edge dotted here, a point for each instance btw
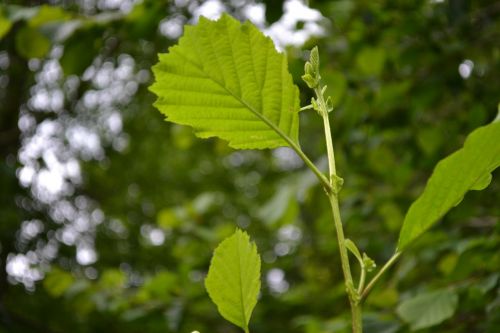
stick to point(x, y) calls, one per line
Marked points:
point(467, 169)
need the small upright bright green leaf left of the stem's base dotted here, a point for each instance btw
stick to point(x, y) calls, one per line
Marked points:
point(233, 280)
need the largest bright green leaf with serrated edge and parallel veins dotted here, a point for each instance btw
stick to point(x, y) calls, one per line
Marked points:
point(226, 79)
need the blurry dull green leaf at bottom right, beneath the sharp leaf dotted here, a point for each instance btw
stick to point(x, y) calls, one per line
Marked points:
point(428, 309)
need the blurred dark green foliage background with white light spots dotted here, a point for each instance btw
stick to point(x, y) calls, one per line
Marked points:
point(109, 215)
